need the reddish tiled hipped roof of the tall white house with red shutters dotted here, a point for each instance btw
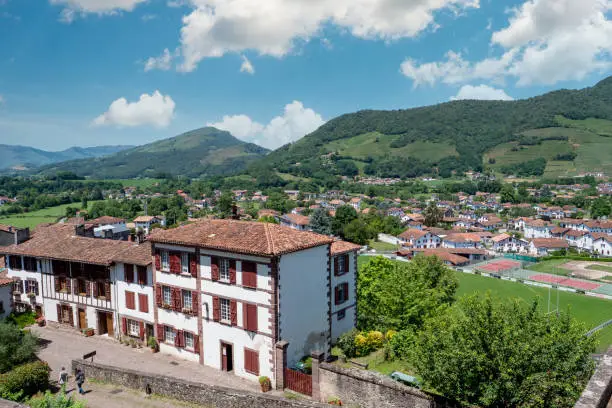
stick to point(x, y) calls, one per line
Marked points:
point(245, 237)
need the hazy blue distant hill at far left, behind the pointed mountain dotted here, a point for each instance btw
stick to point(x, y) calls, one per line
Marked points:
point(24, 157)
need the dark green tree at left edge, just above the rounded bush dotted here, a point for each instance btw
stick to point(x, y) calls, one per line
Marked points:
point(16, 347)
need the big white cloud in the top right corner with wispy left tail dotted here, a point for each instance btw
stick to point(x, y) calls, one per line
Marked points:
point(545, 41)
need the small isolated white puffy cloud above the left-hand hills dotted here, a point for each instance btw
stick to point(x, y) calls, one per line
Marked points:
point(156, 110)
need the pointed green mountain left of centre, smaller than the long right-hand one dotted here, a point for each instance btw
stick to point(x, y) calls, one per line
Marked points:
point(206, 151)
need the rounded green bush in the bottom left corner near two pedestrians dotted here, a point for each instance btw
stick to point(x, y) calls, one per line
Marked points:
point(25, 380)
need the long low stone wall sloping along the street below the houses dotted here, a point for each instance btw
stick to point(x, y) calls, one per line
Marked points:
point(207, 395)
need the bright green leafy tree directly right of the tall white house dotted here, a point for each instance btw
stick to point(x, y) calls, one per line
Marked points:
point(398, 296)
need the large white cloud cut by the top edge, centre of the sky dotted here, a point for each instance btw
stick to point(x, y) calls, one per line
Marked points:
point(274, 27)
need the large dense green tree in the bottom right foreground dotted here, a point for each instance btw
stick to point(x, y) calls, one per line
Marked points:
point(499, 354)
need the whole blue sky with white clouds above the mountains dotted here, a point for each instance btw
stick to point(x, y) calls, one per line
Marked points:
point(99, 72)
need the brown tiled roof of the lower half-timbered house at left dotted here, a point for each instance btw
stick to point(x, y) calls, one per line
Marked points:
point(59, 241)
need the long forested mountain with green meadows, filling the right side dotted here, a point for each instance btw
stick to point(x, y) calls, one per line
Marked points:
point(560, 133)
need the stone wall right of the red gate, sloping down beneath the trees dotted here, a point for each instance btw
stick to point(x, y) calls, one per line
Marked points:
point(366, 389)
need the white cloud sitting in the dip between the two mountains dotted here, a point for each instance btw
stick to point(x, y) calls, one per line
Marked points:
point(296, 122)
